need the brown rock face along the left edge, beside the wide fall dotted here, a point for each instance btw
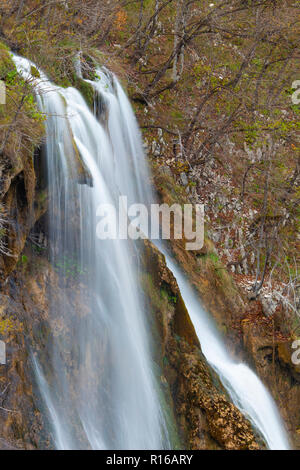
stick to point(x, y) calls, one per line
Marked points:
point(23, 302)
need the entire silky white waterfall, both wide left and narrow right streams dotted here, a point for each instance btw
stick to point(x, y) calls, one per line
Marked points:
point(102, 392)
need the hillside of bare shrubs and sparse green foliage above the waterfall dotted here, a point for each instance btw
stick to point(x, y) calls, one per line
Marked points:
point(212, 76)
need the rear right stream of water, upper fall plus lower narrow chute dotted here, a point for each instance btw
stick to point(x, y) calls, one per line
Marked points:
point(244, 387)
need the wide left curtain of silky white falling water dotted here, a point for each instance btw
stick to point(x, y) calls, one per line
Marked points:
point(102, 392)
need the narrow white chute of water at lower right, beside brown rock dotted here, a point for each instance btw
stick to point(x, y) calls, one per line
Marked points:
point(244, 387)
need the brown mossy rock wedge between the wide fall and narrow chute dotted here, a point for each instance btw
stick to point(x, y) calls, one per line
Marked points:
point(204, 414)
